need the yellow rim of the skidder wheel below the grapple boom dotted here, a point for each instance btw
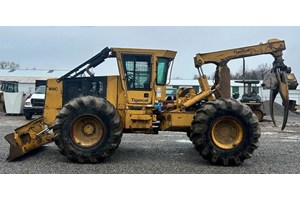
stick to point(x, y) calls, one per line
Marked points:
point(227, 133)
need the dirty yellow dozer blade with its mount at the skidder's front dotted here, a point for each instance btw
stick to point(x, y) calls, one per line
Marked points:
point(28, 137)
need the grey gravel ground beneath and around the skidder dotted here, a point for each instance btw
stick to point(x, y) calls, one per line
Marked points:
point(166, 153)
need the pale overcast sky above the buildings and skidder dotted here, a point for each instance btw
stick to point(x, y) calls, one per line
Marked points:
point(67, 47)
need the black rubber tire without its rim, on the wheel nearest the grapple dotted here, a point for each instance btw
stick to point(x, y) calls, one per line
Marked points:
point(202, 127)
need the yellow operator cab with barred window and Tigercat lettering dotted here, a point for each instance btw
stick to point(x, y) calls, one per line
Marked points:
point(144, 74)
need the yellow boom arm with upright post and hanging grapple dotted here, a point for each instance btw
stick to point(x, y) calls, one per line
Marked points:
point(276, 80)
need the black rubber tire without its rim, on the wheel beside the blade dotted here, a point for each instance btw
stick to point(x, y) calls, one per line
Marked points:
point(79, 107)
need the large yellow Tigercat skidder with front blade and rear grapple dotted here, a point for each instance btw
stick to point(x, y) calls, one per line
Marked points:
point(89, 114)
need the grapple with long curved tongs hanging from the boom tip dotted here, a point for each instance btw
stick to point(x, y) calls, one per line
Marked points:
point(280, 80)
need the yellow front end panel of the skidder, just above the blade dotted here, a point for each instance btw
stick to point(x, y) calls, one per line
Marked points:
point(53, 101)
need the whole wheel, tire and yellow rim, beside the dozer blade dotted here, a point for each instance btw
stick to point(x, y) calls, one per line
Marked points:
point(88, 129)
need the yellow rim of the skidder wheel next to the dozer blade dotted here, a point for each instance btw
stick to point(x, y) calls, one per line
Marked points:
point(87, 131)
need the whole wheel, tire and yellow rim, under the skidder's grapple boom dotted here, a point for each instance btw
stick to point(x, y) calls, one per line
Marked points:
point(225, 132)
